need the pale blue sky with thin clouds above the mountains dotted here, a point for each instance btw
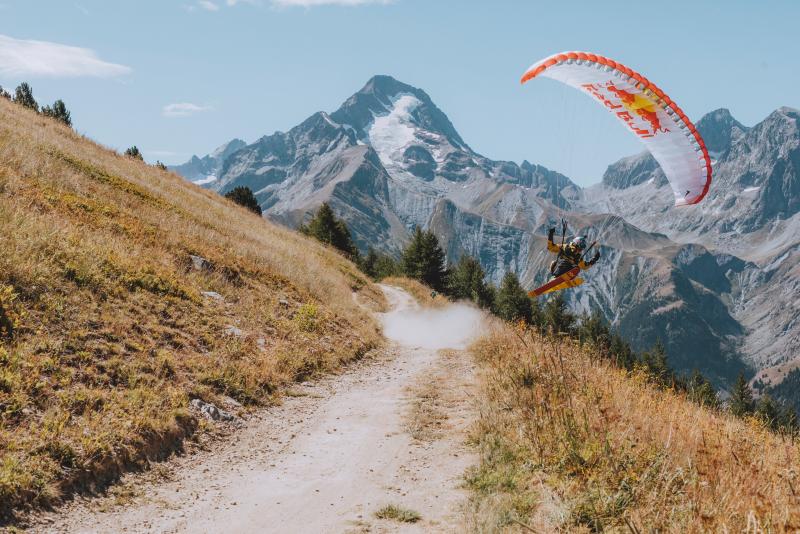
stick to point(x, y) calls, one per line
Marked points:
point(181, 77)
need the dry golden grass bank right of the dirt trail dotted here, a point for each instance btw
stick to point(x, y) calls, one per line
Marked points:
point(570, 443)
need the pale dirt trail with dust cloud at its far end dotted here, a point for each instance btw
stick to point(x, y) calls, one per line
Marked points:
point(390, 430)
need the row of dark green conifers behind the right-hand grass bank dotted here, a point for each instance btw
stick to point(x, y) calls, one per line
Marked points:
point(424, 260)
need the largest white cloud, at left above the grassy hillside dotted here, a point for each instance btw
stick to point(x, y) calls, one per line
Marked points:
point(20, 58)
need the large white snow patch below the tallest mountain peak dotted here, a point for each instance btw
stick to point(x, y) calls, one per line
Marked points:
point(390, 134)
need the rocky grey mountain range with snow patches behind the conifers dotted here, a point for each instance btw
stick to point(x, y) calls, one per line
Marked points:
point(388, 159)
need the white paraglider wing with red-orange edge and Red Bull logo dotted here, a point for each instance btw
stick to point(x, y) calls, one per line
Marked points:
point(645, 110)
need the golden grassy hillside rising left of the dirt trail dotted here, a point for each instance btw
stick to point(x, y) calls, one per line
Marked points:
point(113, 335)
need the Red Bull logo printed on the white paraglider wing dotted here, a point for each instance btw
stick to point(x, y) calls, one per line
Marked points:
point(629, 106)
